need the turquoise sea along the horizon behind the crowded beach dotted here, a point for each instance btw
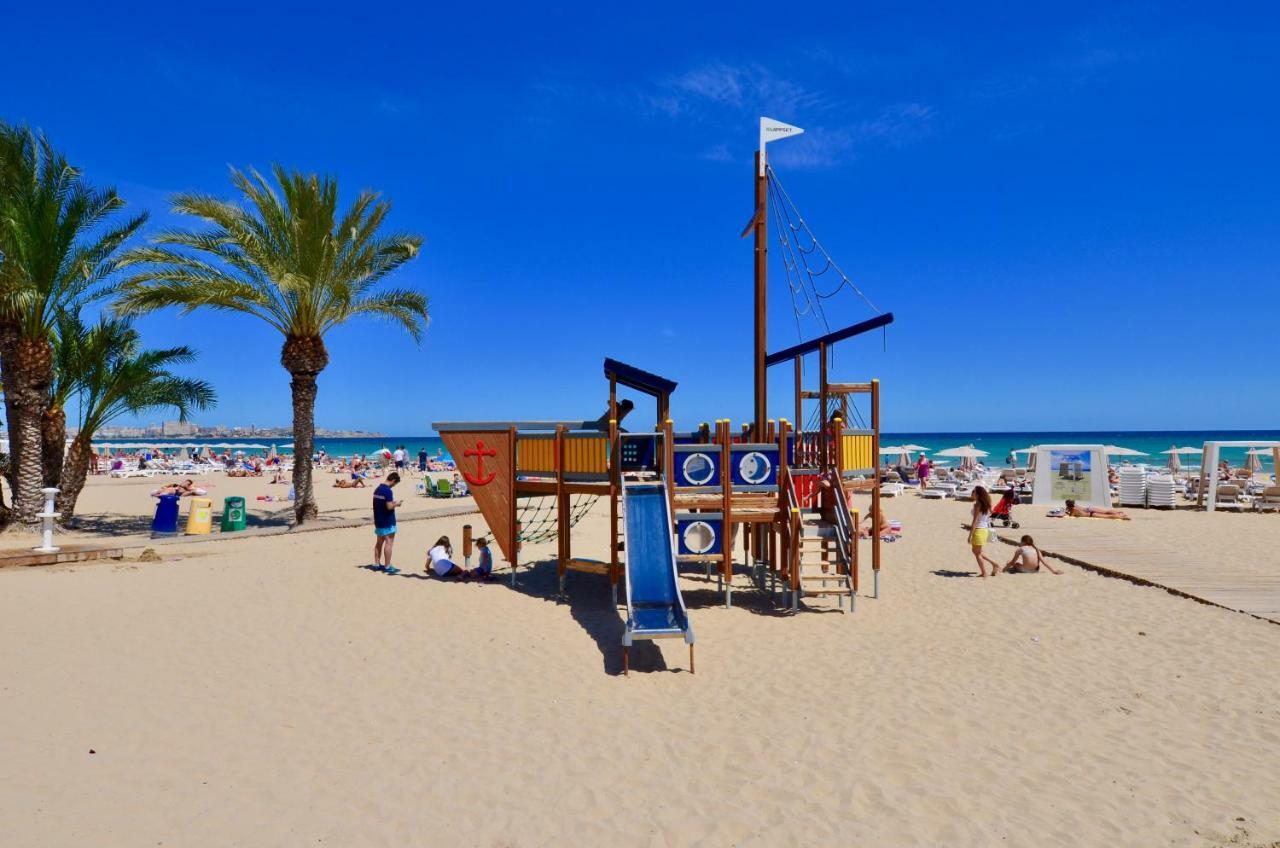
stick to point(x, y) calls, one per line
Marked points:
point(998, 445)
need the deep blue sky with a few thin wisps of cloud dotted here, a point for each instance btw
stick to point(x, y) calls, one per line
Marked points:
point(1069, 209)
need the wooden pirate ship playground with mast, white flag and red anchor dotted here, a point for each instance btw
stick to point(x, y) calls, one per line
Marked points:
point(684, 503)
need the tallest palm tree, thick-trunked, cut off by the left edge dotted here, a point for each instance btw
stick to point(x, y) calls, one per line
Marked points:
point(61, 245)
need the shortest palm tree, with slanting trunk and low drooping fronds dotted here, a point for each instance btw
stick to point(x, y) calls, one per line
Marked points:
point(113, 376)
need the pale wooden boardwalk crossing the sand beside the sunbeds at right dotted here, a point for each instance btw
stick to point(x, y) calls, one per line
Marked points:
point(1089, 545)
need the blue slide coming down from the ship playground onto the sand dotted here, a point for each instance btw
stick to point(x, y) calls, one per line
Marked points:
point(656, 609)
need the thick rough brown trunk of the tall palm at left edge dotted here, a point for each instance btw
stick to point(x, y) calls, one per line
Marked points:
point(34, 372)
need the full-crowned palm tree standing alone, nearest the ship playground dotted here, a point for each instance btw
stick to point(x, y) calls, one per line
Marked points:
point(287, 258)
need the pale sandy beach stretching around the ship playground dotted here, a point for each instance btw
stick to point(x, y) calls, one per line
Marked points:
point(277, 692)
